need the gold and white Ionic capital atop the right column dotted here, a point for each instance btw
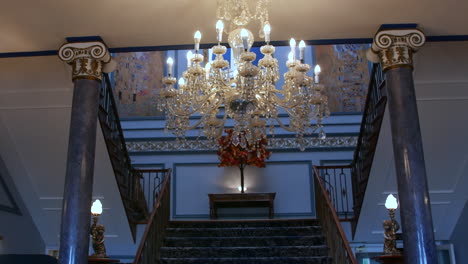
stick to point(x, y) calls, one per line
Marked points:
point(395, 47)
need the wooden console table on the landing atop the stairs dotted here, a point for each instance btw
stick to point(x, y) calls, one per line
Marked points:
point(239, 200)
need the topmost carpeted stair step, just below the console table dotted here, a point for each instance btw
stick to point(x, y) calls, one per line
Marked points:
point(243, 223)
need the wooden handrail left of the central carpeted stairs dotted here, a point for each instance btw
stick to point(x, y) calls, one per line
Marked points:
point(151, 241)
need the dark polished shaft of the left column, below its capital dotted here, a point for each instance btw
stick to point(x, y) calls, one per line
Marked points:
point(76, 215)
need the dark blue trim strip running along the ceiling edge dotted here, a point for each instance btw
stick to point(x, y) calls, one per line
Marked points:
point(190, 46)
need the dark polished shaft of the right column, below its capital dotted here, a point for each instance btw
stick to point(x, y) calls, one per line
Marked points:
point(416, 218)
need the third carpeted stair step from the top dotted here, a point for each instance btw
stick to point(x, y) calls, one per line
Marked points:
point(259, 241)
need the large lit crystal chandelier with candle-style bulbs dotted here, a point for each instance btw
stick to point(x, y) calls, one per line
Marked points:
point(248, 96)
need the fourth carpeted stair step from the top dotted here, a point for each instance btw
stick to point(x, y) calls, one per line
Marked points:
point(243, 252)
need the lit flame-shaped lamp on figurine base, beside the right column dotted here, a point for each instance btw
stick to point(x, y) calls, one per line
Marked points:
point(391, 227)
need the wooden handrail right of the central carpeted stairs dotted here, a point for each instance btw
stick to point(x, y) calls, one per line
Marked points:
point(336, 239)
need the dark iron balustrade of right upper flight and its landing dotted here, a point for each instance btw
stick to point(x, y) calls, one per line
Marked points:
point(346, 185)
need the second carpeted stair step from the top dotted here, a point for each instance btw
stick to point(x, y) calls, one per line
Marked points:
point(244, 231)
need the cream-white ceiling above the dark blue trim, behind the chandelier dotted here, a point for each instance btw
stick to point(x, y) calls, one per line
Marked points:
point(43, 25)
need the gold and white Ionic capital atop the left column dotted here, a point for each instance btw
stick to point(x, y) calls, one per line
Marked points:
point(87, 59)
